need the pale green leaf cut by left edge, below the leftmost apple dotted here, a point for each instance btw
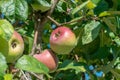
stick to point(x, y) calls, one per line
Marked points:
point(3, 65)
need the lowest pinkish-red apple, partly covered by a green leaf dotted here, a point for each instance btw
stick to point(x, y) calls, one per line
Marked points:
point(48, 58)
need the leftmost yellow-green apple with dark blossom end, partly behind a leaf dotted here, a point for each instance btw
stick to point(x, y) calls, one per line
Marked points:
point(16, 48)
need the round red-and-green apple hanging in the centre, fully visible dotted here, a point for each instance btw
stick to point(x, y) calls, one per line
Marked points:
point(62, 40)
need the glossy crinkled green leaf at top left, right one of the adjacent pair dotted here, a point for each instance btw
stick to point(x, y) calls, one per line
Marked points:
point(21, 9)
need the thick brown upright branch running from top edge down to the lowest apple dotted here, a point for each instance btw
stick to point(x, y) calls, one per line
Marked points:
point(39, 28)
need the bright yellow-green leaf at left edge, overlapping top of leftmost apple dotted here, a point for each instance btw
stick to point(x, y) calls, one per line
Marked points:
point(6, 29)
